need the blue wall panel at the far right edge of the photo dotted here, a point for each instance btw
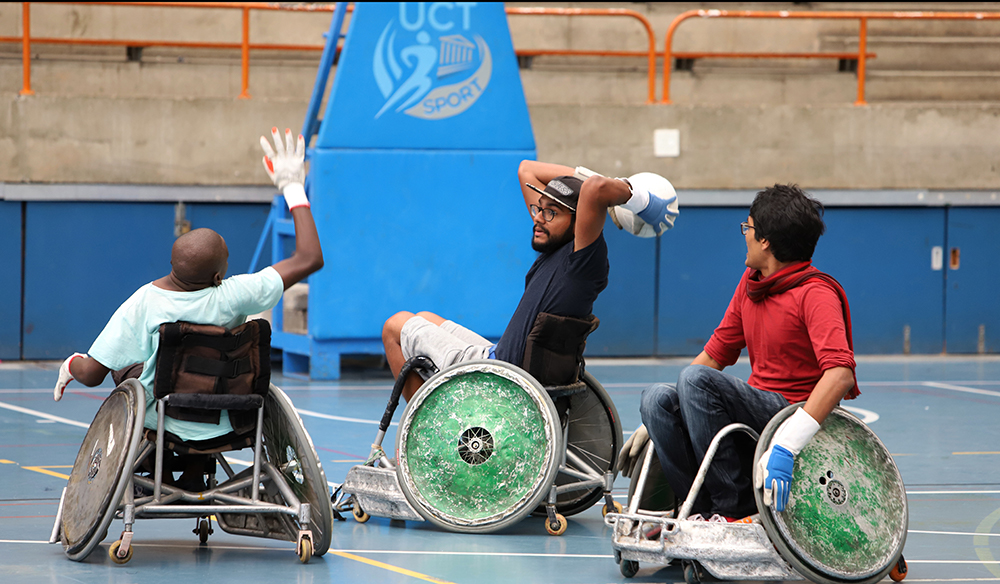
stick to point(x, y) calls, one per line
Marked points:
point(972, 296)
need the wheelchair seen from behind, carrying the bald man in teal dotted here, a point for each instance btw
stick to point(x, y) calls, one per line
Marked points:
point(125, 471)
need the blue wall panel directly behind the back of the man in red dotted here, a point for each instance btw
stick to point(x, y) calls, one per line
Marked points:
point(882, 258)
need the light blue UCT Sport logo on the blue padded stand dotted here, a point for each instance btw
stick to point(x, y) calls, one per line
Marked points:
point(429, 77)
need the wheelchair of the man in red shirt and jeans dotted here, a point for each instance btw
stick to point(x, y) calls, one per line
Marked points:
point(845, 521)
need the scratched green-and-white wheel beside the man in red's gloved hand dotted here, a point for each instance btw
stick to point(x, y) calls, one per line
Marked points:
point(846, 517)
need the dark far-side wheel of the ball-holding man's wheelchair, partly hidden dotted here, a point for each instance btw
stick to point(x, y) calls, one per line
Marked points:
point(595, 435)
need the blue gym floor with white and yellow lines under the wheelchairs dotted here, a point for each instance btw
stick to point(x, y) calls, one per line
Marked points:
point(939, 416)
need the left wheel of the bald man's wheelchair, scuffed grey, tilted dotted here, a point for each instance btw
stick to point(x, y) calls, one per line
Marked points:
point(102, 469)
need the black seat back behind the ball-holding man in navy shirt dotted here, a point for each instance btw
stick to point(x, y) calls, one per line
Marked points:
point(553, 352)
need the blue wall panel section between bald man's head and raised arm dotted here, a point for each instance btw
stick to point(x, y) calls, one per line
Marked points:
point(240, 224)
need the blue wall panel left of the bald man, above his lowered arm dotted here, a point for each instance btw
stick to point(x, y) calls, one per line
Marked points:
point(82, 260)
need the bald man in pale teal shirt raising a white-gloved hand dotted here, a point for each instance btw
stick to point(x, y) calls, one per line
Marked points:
point(197, 291)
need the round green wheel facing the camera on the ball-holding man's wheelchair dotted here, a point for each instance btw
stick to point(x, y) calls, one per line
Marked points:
point(478, 446)
